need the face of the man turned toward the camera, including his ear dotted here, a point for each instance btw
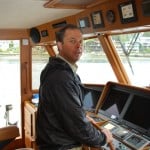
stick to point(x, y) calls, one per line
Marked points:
point(71, 48)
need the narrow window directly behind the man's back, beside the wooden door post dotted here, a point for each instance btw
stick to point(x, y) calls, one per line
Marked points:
point(40, 58)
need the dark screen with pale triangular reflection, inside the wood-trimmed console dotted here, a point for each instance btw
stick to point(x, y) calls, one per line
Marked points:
point(114, 102)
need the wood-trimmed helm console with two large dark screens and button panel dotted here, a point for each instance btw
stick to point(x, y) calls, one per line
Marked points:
point(124, 110)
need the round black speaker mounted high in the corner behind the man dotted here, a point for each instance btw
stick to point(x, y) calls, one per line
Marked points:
point(35, 35)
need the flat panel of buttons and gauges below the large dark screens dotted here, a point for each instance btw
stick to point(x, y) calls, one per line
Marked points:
point(125, 139)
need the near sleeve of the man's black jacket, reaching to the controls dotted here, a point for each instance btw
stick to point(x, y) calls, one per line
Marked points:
point(72, 116)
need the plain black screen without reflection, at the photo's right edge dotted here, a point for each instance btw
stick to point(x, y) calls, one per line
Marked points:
point(138, 113)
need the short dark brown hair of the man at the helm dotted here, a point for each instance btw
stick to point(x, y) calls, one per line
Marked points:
point(60, 34)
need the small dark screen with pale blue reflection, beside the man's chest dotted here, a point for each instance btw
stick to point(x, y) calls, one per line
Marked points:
point(91, 99)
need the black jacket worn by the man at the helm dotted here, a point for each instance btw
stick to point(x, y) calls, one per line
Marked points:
point(61, 121)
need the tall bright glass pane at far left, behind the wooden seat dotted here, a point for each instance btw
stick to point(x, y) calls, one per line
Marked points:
point(10, 101)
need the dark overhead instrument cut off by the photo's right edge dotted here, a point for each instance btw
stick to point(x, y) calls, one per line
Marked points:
point(146, 7)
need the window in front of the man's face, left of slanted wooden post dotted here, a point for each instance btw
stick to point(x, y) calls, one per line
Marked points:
point(93, 66)
